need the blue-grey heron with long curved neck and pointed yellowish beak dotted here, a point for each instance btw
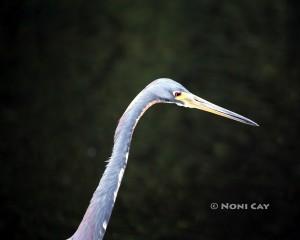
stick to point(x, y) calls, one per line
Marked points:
point(162, 90)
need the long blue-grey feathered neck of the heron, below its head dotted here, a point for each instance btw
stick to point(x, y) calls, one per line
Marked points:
point(95, 220)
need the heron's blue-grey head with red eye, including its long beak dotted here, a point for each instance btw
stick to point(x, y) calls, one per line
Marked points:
point(169, 91)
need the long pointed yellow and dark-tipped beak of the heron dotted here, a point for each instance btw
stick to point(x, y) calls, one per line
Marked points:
point(192, 101)
